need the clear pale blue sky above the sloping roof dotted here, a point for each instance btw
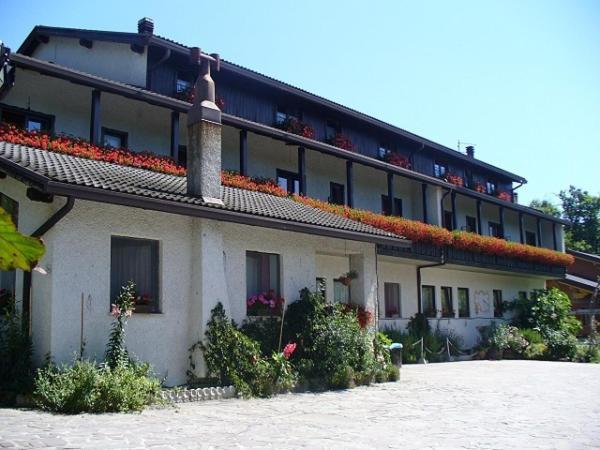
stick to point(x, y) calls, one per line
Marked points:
point(519, 79)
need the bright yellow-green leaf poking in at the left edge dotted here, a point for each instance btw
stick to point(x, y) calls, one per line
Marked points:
point(16, 250)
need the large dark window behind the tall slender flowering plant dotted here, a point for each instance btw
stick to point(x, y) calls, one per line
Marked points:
point(136, 260)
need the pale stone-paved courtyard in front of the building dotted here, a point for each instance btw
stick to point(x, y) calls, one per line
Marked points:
point(478, 404)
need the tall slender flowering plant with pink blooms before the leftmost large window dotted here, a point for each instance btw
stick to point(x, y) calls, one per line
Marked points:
point(116, 353)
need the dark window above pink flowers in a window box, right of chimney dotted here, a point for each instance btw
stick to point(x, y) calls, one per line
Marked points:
point(262, 273)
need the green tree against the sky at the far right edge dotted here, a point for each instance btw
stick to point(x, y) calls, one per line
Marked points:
point(582, 209)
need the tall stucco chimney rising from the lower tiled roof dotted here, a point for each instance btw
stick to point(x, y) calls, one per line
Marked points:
point(204, 137)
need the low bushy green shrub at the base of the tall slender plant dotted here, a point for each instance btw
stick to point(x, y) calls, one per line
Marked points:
point(87, 387)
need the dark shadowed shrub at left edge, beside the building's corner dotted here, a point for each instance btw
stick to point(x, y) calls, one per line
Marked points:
point(15, 352)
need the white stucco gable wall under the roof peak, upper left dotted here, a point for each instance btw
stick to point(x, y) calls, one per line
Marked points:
point(106, 59)
